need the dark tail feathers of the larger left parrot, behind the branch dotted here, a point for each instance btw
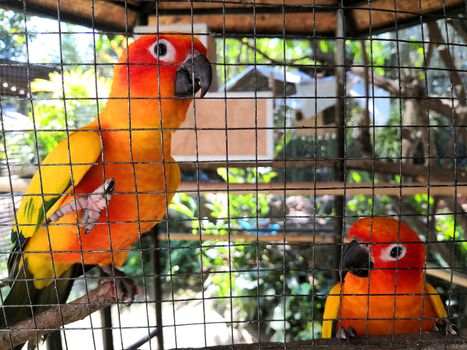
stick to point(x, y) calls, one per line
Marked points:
point(25, 300)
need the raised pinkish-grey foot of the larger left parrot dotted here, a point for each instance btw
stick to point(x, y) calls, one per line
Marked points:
point(92, 206)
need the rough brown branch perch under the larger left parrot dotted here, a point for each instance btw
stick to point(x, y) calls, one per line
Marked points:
point(58, 316)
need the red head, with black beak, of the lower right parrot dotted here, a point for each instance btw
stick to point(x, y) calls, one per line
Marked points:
point(385, 244)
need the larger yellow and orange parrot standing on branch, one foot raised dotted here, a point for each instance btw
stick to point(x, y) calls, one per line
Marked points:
point(107, 183)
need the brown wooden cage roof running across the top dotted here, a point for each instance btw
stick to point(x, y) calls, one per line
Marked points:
point(272, 17)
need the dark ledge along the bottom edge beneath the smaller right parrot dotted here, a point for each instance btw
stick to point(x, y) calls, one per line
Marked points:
point(428, 341)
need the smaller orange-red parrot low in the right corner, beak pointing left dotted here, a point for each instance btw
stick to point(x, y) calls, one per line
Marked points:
point(384, 291)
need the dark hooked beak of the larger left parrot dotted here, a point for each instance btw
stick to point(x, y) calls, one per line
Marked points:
point(194, 74)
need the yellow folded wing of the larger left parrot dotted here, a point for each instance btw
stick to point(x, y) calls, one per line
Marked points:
point(58, 174)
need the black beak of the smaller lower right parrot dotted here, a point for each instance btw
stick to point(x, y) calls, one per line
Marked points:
point(356, 259)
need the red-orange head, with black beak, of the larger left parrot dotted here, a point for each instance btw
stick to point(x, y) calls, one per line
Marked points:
point(164, 65)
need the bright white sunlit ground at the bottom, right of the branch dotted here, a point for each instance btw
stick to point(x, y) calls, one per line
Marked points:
point(131, 324)
